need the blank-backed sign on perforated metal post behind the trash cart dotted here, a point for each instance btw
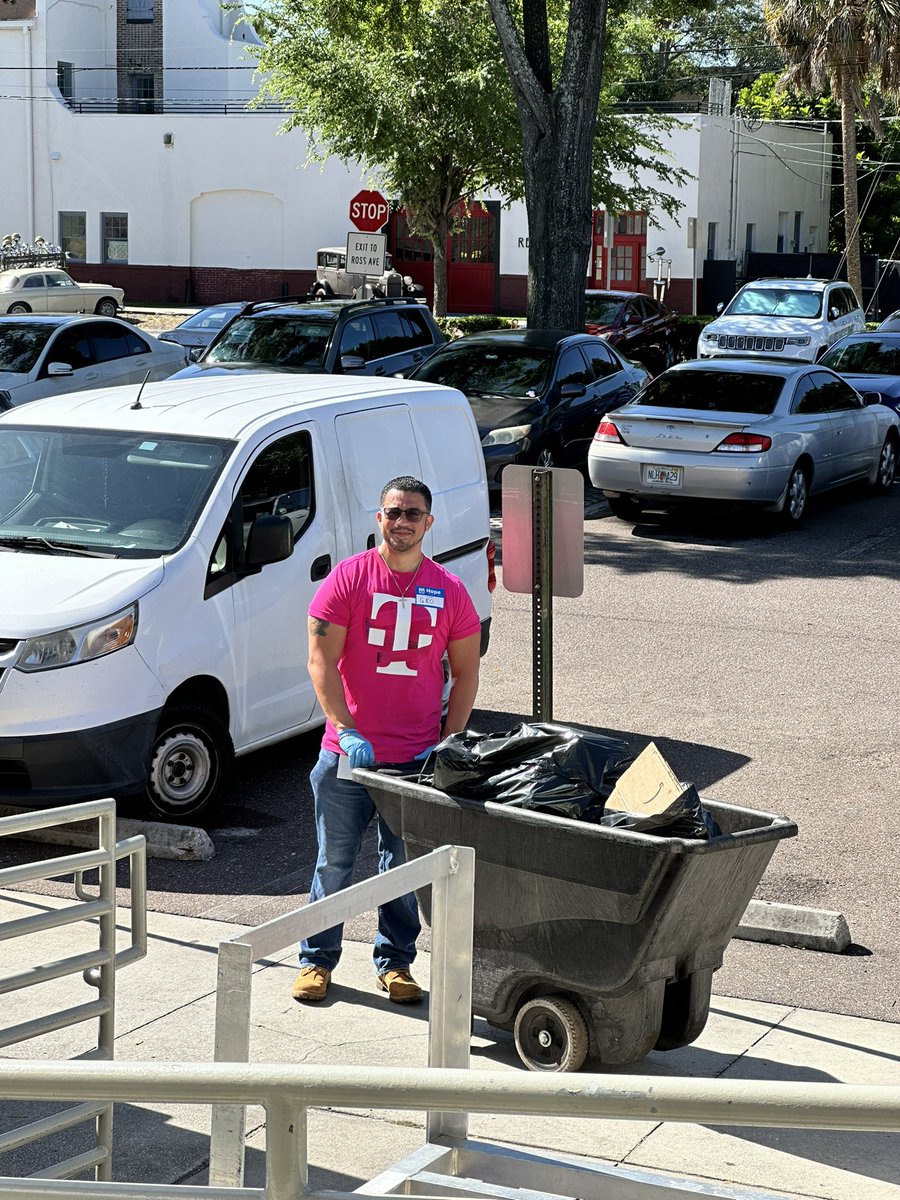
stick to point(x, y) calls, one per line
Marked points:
point(543, 554)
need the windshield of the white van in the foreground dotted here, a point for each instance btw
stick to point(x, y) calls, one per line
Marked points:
point(129, 495)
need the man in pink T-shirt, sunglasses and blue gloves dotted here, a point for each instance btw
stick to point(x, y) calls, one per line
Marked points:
point(380, 626)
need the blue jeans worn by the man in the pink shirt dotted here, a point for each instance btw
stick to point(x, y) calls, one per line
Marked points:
point(344, 813)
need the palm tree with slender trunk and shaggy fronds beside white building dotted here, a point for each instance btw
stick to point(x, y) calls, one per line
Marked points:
point(844, 45)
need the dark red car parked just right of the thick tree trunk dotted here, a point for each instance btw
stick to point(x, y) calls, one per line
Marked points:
point(635, 325)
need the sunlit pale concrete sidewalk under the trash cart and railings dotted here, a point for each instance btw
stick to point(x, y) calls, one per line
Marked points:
point(166, 1007)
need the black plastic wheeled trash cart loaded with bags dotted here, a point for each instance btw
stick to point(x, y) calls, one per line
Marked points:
point(590, 940)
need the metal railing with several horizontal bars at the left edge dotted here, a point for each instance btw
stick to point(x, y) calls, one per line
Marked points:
point(97, 967)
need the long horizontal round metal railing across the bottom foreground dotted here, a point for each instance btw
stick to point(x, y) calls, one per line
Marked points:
point(287, 1093)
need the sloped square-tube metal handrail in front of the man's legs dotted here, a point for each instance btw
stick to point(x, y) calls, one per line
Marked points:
point(451, 873)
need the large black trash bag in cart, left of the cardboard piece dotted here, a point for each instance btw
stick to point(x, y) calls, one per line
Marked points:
point(550, 769)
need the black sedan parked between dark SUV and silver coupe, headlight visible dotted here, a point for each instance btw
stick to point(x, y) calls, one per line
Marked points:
point(537, 394)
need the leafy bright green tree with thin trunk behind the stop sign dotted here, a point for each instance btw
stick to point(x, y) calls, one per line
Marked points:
point(417, 94)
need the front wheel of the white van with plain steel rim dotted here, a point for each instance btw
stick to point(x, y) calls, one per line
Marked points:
point(190, 763)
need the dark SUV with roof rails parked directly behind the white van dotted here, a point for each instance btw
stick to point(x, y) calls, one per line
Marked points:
point(335, 337)
